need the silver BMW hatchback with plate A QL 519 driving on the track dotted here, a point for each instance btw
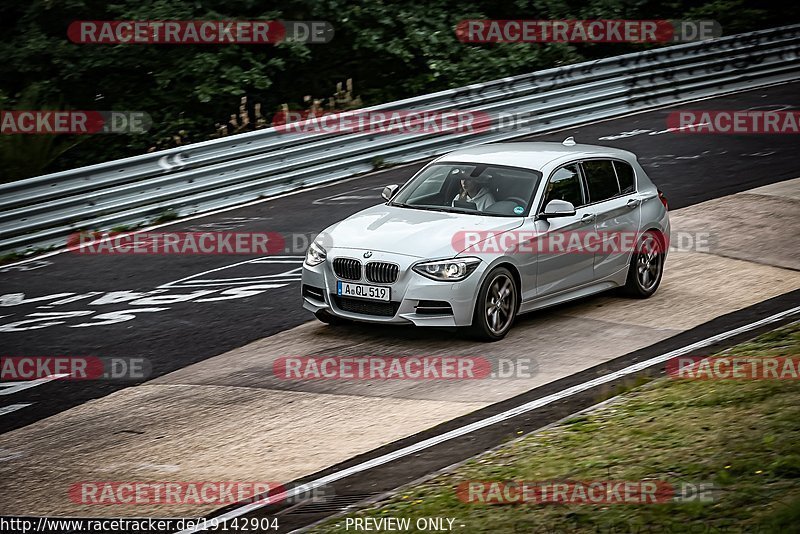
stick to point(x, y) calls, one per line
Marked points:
point(481, 235)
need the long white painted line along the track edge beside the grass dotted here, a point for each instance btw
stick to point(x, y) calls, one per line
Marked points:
point(483, 423)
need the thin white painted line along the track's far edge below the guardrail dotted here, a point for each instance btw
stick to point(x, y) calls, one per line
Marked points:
point(181, 220)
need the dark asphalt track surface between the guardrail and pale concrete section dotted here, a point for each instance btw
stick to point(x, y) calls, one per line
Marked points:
point(688, 168)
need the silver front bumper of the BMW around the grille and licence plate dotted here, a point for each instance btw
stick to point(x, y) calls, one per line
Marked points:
point(414, 298)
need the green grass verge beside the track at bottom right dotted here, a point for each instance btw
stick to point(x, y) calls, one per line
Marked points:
point(742, 436)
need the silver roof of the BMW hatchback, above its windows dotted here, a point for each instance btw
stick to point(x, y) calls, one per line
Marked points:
point(532, 155)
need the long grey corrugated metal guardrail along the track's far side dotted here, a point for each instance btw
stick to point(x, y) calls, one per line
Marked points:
point(43, 211)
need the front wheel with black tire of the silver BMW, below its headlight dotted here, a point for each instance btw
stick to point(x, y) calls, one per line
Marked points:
point(499, 293)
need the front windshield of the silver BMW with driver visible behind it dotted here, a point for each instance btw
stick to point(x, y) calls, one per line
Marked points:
point(473, 188)
